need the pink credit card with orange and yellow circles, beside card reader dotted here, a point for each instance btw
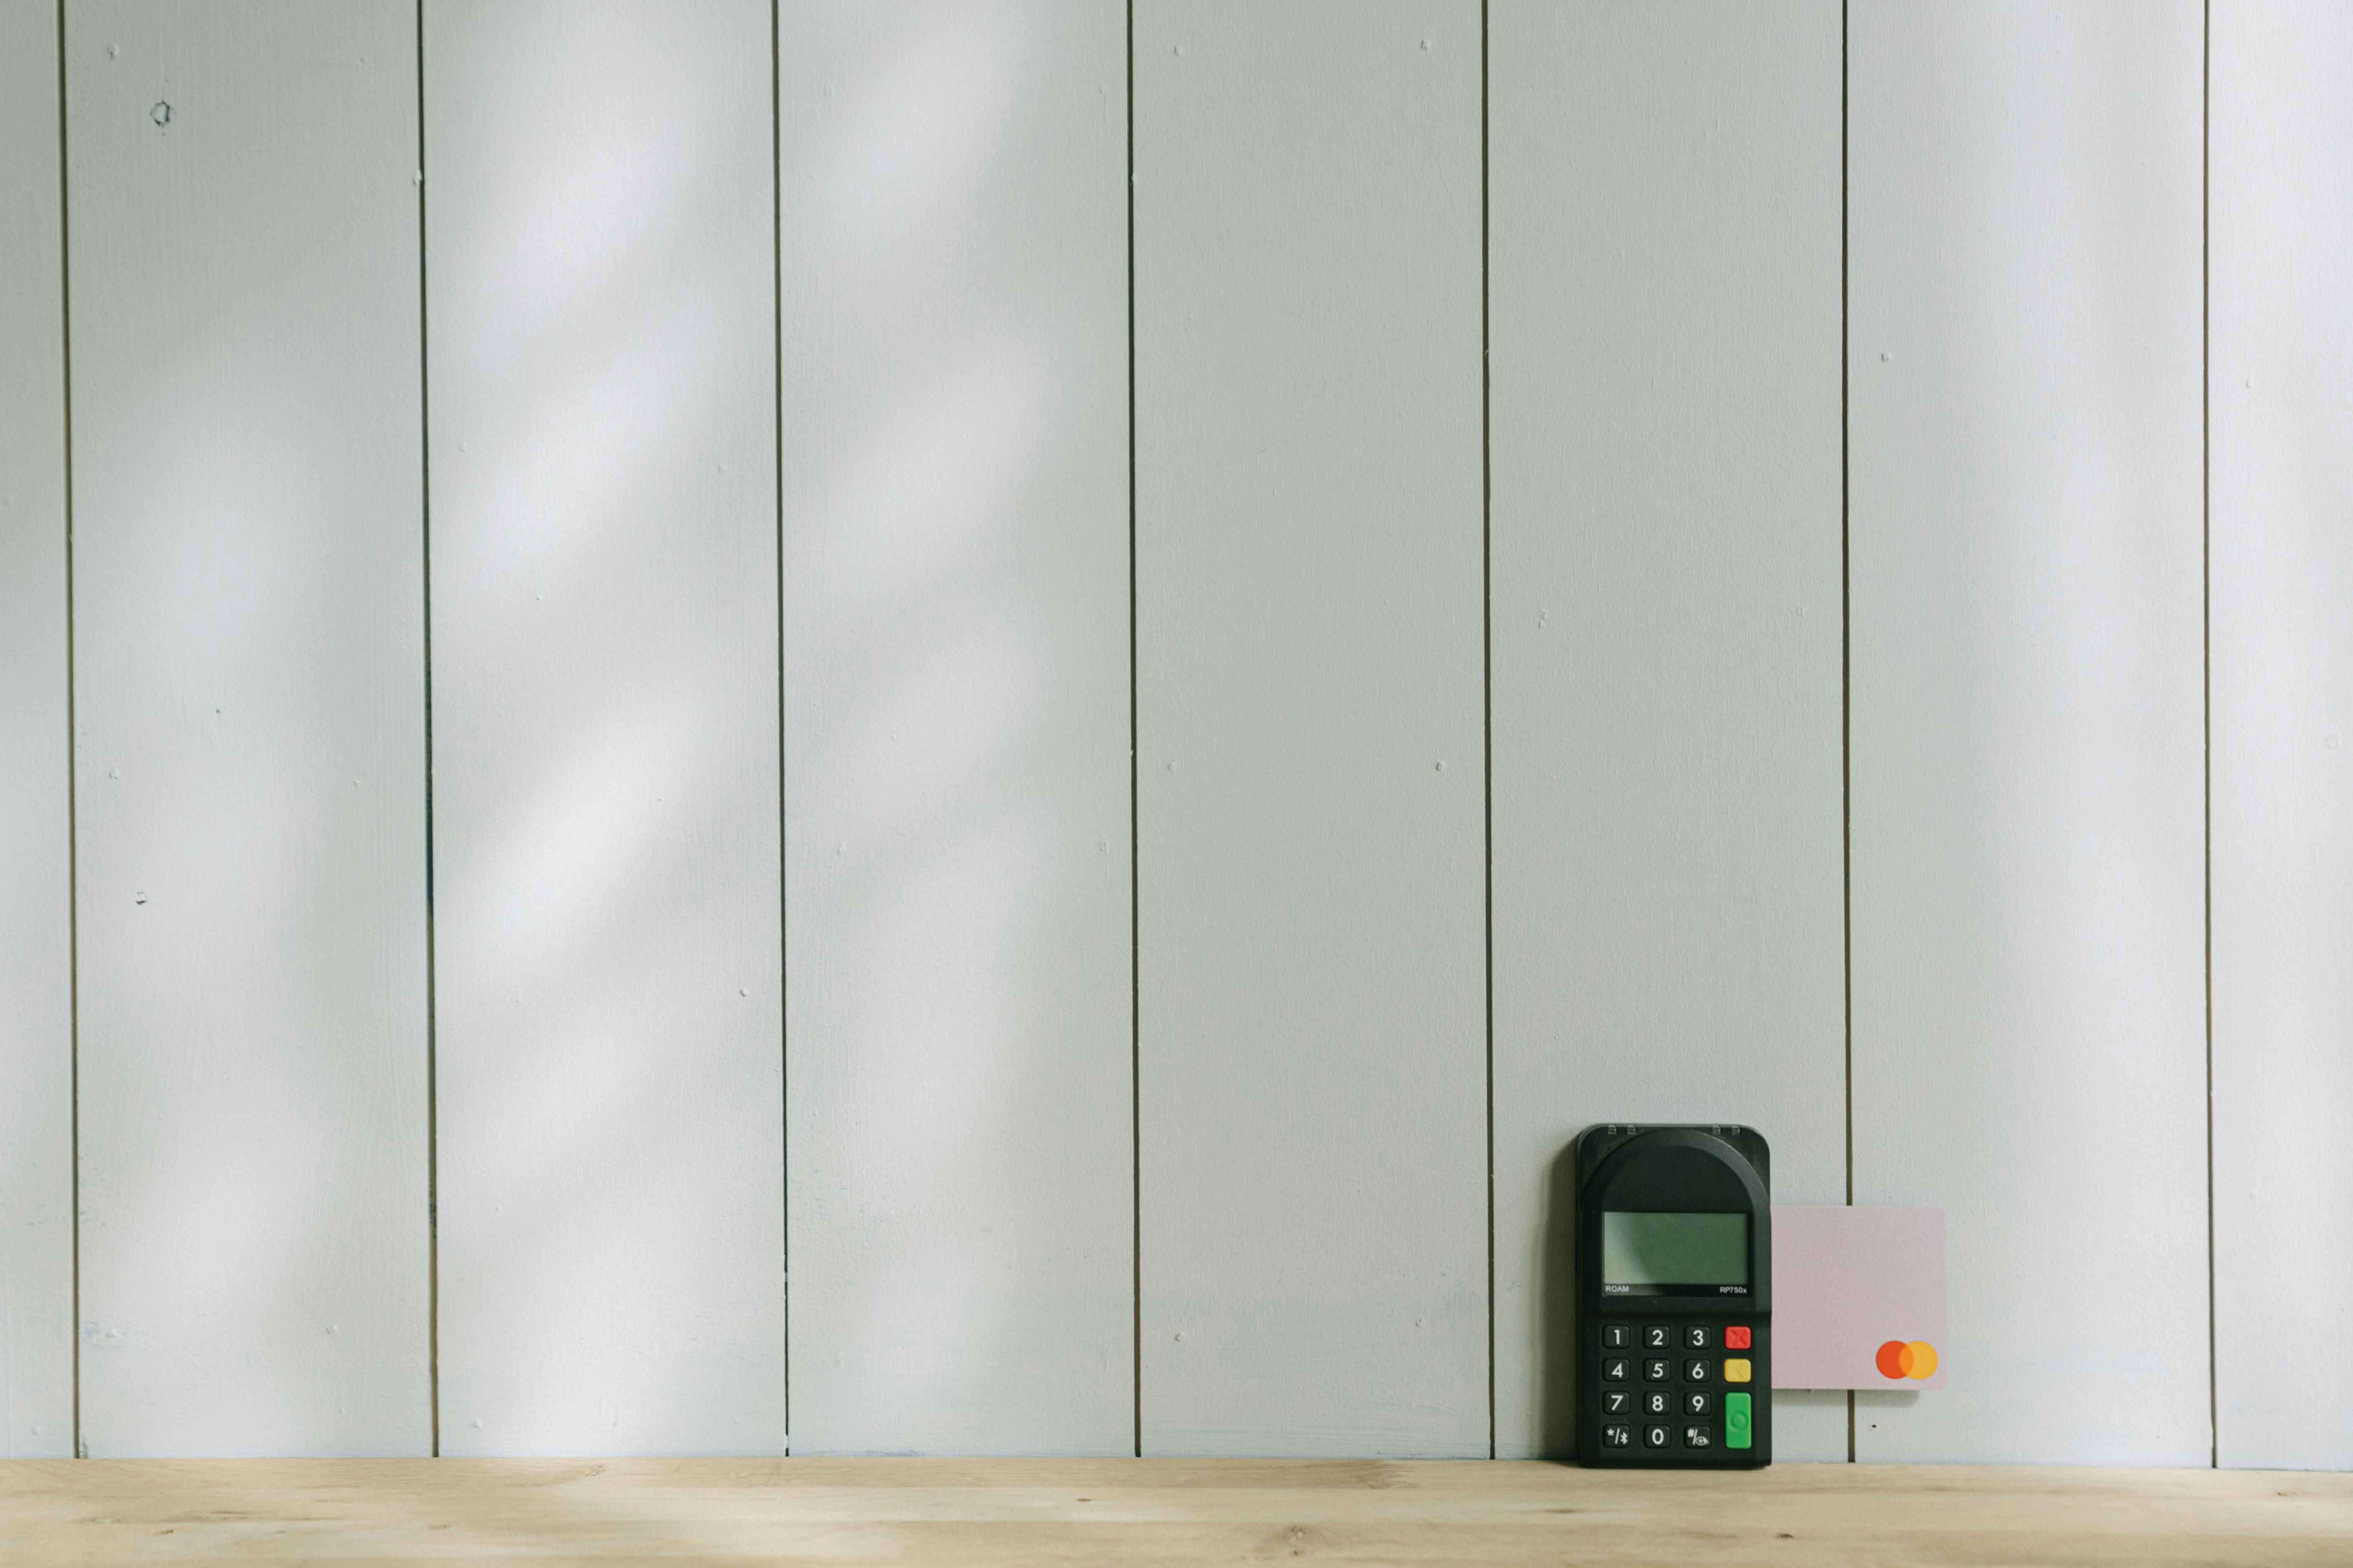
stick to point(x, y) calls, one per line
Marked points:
point(1858, 1299)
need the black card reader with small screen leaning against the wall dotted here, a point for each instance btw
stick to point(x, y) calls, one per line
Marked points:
point(1674, 1296)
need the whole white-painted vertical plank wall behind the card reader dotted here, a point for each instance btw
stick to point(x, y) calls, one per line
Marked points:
point(1093, 671)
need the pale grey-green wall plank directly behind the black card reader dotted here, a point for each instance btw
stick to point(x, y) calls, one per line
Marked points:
point(1669, 906)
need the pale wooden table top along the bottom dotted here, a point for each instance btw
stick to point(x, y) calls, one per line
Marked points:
point(1053, 1513)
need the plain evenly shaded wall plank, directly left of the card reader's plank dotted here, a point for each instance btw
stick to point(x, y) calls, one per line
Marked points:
point(1309, 709)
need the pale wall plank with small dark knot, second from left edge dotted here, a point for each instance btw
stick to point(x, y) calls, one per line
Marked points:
point(251, 728)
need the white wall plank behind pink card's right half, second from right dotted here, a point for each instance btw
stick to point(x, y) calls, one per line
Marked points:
point(2027, 711)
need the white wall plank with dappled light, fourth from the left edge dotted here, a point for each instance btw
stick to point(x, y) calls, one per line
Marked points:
point(954, 234)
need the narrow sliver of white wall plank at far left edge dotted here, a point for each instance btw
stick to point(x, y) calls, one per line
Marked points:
point(36, 894)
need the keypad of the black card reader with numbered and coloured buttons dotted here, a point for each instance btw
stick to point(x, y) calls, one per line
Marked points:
point(1679, 1407)
